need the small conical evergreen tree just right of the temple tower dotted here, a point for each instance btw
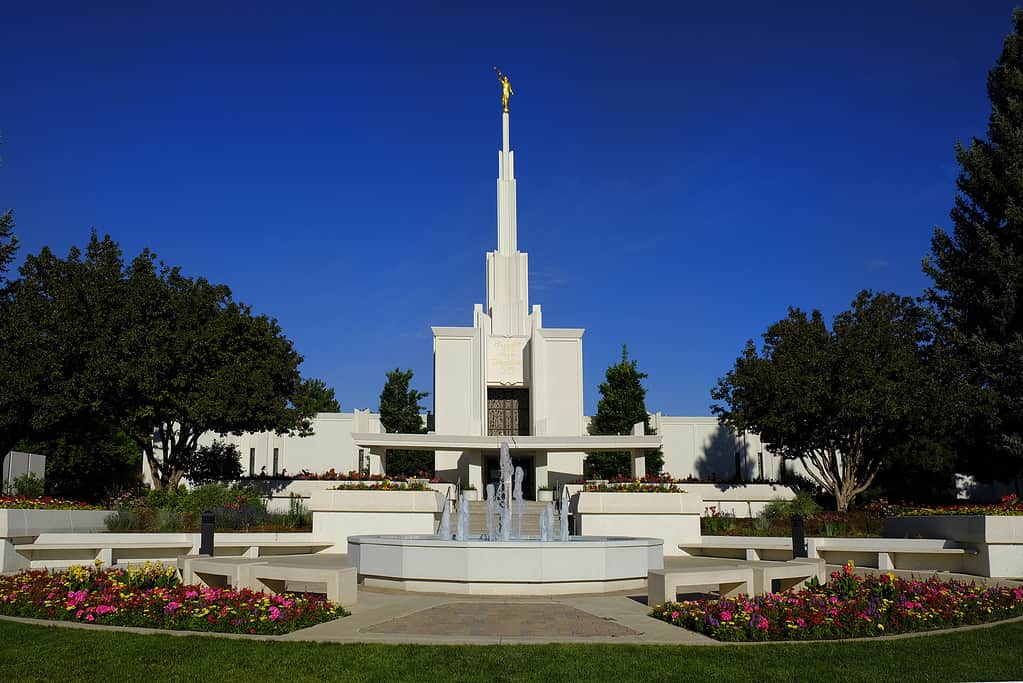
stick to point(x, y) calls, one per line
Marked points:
point(622, 404)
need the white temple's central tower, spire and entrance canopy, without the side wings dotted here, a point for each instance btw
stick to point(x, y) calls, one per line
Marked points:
point(509, 379)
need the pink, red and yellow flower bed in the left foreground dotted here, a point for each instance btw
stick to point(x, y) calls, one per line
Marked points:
point(151, 597)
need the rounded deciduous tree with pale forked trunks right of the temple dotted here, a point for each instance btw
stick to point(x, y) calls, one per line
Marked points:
point(842, 401)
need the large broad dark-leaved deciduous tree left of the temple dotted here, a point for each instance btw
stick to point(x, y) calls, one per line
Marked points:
point(162, 356)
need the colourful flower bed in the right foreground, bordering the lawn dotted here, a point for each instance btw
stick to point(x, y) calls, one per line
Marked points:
point(849, 607)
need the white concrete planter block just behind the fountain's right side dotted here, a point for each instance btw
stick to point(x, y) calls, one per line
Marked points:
point(672, 517)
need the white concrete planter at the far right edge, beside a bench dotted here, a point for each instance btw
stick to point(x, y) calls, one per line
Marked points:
point(999, 540)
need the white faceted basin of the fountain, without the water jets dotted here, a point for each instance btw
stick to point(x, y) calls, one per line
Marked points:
point(526, 567)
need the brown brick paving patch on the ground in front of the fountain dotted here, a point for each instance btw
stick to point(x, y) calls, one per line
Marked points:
point(504, 620)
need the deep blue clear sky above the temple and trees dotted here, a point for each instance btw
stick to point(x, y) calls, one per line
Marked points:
point(687, 171)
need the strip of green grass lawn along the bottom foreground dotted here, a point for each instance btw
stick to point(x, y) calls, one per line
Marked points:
point(51, 654)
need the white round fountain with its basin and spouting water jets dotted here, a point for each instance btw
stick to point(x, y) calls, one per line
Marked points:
point(503, 562)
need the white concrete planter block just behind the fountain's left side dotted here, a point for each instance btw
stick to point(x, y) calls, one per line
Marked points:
point(338, 515)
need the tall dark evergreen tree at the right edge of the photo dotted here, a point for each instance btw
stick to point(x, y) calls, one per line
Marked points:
point(978, 274)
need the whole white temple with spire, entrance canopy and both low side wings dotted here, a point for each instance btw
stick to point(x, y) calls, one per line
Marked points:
point(509, 379)
